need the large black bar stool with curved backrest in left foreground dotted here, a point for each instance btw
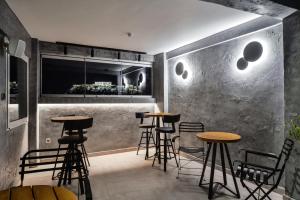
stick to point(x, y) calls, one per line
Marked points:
point(72, 158)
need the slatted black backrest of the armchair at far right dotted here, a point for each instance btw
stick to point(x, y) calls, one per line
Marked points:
point(283, 157)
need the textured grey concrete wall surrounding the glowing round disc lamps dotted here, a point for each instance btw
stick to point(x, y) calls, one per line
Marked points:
point(248, 102)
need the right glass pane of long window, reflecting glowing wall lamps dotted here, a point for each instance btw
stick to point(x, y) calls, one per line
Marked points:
point(136, 80)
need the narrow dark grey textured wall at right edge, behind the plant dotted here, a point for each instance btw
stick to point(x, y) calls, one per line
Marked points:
point(291, 31)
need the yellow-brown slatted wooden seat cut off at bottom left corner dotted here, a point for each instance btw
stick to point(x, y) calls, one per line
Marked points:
point(37, 192)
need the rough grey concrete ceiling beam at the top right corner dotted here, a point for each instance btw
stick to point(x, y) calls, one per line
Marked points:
point(261, 7)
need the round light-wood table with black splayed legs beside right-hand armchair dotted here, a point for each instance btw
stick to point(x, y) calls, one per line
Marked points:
point(213, 139)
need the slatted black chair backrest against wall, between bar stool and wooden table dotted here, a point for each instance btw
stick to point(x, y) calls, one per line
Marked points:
point(187, 133)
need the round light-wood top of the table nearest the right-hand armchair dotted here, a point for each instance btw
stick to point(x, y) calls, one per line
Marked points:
point(219, 137)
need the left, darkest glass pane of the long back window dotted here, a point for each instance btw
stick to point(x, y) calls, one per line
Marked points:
point(62, 76)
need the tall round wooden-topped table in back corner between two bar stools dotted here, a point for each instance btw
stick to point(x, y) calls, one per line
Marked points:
point(157, 116)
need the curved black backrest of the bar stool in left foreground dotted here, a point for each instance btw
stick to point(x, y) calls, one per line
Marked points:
point(78, 125)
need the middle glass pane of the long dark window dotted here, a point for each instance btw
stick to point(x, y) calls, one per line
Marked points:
point(103, 78)
